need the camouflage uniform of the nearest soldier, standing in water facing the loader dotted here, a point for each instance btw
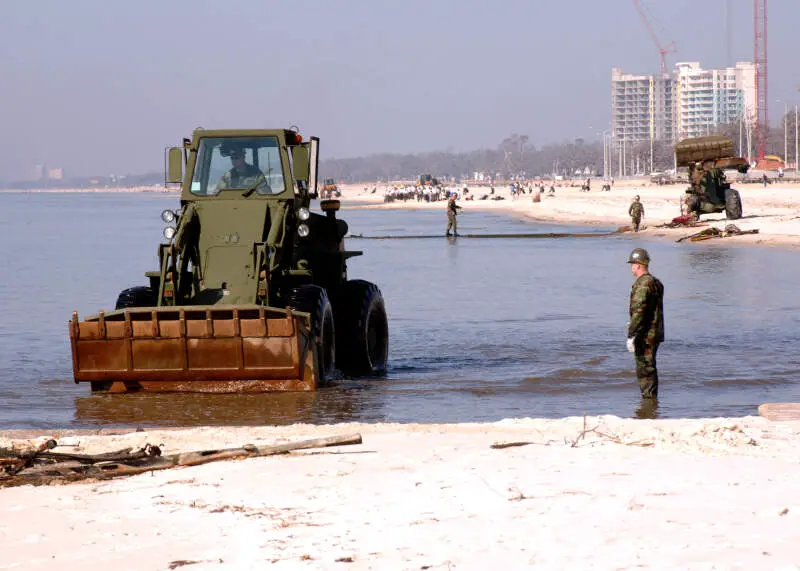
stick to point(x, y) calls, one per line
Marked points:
point(646, 328)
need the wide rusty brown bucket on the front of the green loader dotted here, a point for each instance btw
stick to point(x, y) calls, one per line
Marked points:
point(195, 349)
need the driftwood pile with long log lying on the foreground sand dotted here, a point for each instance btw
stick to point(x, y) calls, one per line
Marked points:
point(60, 467)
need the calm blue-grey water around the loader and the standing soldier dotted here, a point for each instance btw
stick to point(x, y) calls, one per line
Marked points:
point(480, 329)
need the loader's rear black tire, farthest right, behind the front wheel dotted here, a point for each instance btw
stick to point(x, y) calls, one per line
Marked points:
point(363, 329)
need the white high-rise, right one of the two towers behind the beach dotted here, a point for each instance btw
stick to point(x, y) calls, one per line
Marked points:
point(711, 97)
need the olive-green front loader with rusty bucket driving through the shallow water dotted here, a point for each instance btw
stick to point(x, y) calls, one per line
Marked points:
point(251, 293)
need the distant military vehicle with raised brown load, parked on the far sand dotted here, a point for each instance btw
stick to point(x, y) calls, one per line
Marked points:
point(709, 190)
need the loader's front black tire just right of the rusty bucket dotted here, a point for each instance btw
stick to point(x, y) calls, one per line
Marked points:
point(314, 300)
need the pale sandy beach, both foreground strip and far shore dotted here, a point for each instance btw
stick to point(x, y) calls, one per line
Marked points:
point(574, 493)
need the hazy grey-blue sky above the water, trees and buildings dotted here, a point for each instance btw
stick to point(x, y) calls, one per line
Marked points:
point(100, 87)
